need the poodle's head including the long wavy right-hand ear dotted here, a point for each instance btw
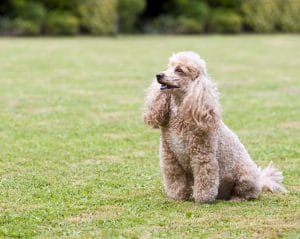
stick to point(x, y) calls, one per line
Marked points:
point(186, 78)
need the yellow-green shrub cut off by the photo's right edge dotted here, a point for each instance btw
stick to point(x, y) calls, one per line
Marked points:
point(289, 20)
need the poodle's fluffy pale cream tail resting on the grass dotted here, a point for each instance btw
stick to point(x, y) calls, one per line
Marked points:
point(271, 179)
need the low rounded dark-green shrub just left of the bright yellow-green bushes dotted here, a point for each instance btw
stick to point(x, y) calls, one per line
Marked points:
point(225, 21)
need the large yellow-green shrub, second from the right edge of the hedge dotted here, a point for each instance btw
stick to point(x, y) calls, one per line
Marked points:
point(261, 15)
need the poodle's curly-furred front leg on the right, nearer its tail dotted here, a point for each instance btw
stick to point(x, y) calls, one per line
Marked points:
point(206, 178)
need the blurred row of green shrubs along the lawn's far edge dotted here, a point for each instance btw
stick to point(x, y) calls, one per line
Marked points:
point(111, 17)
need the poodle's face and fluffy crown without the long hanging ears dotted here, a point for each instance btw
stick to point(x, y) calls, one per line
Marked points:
point(183, 69)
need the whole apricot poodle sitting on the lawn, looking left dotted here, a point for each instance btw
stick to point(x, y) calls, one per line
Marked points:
point(200, 157)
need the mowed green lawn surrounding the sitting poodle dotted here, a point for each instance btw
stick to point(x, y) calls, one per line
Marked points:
point(76, 160)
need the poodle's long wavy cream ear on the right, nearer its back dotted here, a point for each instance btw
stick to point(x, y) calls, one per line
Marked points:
point(201, 104)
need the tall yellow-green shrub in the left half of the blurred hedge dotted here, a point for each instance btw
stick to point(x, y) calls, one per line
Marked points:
point(98, 17)
